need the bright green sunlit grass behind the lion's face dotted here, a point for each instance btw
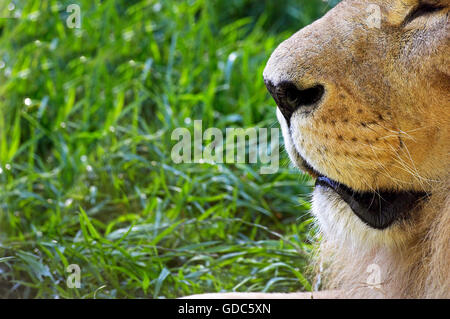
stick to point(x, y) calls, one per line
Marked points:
point(86, 177)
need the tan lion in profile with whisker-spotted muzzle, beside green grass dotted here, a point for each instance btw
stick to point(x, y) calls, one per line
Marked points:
point(363, 98)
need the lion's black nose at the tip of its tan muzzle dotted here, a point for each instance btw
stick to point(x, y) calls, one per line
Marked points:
point(289, 98)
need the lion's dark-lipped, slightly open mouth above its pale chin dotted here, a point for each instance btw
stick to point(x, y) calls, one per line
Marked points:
point(378, 209)
